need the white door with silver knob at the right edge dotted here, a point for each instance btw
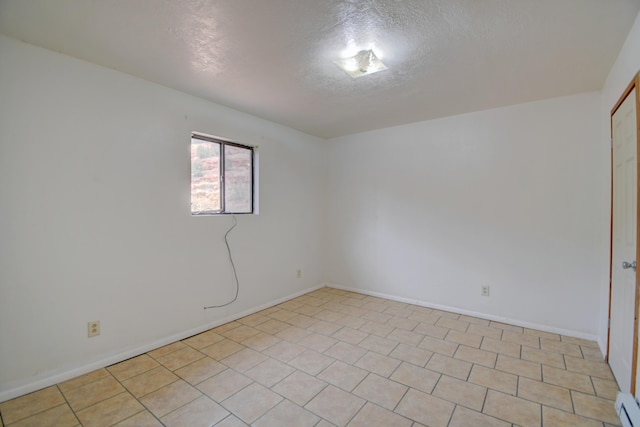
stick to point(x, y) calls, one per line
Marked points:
point(623, 276)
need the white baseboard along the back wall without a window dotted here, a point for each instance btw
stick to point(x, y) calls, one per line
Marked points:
point(510, 321)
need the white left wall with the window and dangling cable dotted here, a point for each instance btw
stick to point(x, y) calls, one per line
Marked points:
point(95, 222)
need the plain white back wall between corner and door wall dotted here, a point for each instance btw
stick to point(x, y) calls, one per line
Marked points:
point(508, 198)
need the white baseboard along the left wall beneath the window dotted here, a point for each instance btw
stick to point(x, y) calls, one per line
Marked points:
point(49, 378)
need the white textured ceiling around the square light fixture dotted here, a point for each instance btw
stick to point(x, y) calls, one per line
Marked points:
point(274, 58)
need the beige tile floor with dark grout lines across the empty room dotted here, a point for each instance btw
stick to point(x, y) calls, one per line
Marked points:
point(339, 358)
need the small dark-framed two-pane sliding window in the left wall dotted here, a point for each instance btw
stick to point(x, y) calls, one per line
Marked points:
point(221, 176)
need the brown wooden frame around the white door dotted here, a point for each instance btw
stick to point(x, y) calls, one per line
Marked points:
point(635, 84)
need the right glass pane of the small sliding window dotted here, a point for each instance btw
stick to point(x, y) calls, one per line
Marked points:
point(238, 179)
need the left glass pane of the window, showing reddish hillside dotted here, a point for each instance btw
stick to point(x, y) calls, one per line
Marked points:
point(205, 176)
